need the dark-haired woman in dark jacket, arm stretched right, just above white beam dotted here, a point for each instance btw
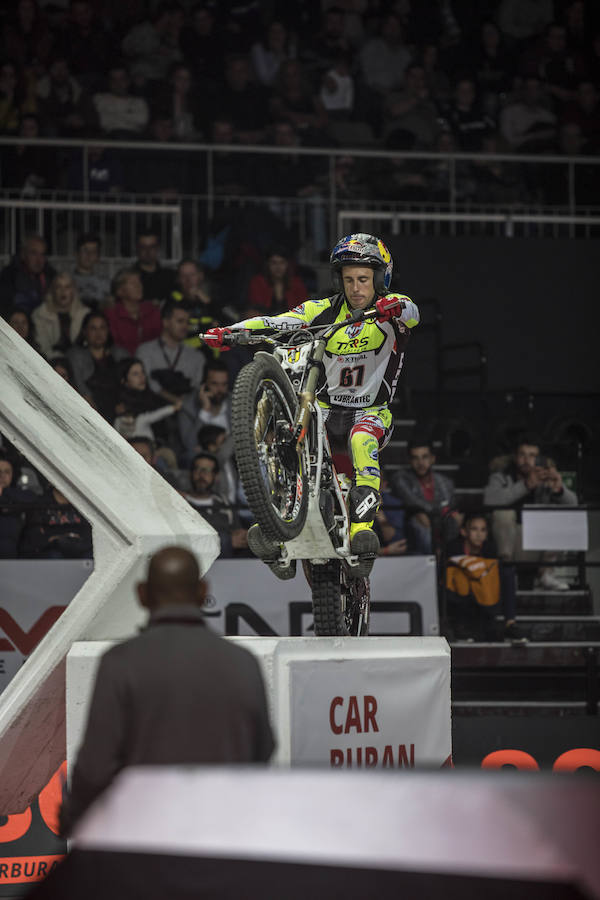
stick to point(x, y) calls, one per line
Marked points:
point(139, 408)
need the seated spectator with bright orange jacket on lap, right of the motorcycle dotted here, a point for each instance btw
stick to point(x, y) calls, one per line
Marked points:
point(479, 586)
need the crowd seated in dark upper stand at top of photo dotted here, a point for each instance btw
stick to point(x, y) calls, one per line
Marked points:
point(498, 75)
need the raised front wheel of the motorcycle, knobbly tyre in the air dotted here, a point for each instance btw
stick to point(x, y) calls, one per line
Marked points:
point(273, 473)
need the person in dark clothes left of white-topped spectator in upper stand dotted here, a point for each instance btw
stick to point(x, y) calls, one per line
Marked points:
point(65, 110)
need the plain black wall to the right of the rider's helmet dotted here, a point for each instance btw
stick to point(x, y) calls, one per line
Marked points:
point(532, 303)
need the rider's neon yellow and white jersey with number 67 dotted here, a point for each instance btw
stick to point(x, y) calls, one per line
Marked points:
point(362, 361)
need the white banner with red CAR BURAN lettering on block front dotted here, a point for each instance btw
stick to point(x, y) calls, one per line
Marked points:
point(370, 712)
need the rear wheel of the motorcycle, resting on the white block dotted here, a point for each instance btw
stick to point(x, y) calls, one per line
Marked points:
point(341, 603)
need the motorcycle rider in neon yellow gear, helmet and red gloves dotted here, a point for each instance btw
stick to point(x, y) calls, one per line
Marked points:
point(362, 365)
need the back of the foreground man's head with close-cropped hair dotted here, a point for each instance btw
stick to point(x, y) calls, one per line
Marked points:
point(173, 579)
